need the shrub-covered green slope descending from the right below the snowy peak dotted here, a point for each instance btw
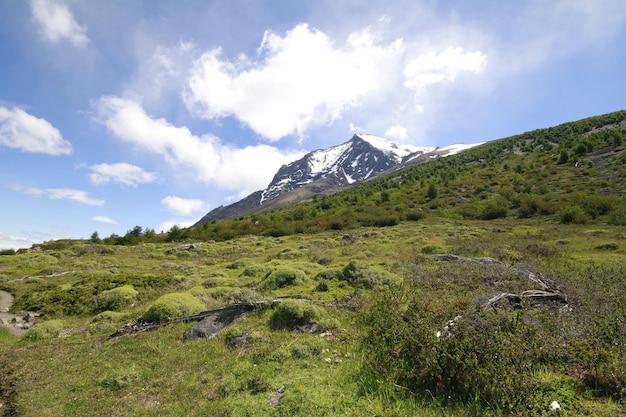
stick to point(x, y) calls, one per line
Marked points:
point(572, 172)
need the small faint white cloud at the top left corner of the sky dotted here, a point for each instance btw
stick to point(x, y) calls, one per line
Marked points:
point(56, 22)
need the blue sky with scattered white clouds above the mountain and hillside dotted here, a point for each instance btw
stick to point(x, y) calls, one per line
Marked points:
point(115, 114)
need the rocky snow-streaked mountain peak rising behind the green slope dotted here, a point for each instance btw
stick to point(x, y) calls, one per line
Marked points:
point(325, 171)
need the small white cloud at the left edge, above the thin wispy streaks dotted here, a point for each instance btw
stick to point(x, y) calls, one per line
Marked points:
point(28, 133)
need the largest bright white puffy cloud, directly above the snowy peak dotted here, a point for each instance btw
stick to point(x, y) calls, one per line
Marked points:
point(295, 82)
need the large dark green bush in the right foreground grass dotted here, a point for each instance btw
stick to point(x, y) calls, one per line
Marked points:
point(482, 358)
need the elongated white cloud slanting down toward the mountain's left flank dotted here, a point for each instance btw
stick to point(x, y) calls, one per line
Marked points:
point(205, 157)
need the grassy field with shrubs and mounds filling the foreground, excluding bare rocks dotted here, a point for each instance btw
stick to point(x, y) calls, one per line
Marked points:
point(377, 354)
